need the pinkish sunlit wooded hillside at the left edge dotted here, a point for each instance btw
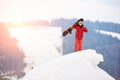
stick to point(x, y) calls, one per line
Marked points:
point(11, 57)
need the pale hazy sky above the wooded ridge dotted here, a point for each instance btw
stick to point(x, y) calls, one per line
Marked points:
point(19, 10)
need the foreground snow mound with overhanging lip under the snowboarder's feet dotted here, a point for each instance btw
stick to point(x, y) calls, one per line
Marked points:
point(75, 66)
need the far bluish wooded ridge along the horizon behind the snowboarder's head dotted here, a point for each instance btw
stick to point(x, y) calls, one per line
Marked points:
point(107, 26)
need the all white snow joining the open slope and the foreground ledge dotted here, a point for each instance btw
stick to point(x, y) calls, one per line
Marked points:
point(43, 49)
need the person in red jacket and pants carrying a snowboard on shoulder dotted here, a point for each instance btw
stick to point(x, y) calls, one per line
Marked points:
point(80, 29)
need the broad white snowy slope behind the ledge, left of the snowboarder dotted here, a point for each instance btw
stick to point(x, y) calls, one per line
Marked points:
point(40, 44)
